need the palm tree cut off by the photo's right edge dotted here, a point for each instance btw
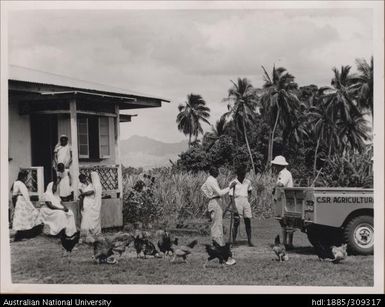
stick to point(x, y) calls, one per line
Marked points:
point(365, 84)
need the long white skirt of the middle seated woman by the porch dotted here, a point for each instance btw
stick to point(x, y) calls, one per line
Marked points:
point(56, 220)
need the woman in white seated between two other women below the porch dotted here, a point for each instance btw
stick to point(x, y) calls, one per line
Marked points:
point(56, 216)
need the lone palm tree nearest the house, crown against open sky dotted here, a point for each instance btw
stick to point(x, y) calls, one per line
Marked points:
point(190, 116)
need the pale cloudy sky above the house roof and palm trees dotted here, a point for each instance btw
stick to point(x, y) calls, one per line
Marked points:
point(172, 53)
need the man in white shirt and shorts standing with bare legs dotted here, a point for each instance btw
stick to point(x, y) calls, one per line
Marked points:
point(241, 195)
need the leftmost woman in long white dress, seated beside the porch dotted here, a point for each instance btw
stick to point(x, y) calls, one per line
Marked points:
point(27, 221)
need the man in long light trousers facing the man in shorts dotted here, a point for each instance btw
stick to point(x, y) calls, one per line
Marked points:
point(213, 192)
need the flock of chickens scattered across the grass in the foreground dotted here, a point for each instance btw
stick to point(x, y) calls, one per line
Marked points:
point(106, 247)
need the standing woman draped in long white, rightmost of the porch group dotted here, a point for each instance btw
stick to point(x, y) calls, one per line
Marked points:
point(92, 204)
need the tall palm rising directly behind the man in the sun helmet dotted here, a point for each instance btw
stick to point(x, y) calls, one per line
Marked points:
point(278, 102)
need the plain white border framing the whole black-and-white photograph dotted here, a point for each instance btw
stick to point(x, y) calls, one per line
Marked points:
point(378, 40)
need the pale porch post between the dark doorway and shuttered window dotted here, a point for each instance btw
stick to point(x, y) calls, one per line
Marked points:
point(75, 148)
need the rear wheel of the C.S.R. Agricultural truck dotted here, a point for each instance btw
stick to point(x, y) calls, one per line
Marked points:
point(359, 235)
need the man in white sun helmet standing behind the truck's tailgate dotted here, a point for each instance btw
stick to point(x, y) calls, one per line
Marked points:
point(285, 179)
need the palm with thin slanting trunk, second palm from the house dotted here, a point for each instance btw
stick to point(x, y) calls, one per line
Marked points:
point(242, 108)
